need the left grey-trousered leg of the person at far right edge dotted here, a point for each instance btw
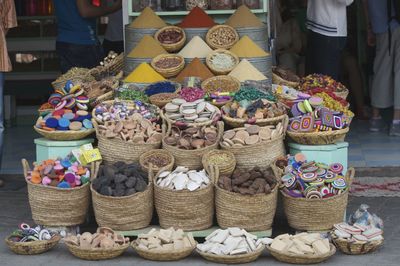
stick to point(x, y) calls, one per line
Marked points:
point(382, 83)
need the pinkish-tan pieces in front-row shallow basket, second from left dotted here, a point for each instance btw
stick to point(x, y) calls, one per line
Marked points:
point(104, 238)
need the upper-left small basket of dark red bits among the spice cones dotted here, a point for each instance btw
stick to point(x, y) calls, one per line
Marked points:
point(172, 38)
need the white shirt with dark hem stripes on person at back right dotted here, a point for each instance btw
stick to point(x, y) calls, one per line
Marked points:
point(328, 17)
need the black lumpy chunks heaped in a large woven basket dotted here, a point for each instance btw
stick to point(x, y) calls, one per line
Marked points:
point(120, 180)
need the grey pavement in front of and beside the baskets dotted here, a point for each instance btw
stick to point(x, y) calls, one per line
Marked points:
point(14, 209)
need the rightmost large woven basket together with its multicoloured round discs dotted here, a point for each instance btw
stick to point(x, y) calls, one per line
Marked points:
point(313, 202)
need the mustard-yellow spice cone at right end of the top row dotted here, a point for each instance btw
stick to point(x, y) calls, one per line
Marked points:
point(243, 18)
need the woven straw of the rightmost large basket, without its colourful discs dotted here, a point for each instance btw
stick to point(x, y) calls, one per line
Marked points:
point(317, 214)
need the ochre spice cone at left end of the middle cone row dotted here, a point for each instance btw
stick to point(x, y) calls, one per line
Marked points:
point(148, 47)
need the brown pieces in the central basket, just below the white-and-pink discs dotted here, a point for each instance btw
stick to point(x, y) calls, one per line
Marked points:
point(192, 138)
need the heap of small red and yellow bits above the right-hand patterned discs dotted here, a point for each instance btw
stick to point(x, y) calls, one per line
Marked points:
point(323, 83)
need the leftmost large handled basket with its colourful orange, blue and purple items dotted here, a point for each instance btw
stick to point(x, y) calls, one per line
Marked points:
point(64, 180)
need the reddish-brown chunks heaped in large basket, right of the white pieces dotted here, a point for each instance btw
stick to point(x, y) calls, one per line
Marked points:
point(248, 182)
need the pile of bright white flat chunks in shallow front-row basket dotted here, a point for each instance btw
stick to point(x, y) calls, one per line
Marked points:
point(232, 241)
